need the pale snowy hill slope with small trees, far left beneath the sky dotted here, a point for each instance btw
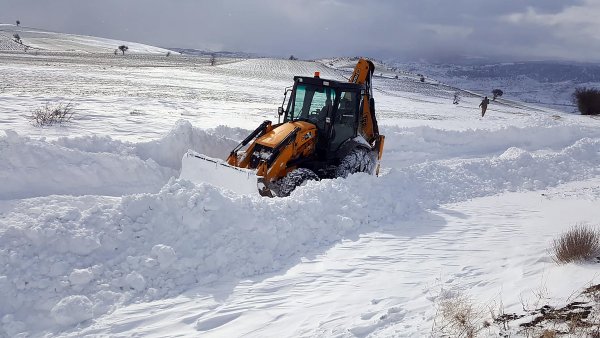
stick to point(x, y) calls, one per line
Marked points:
point(33, 39)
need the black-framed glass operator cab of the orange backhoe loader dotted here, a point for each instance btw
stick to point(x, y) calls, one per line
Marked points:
point(332, 106)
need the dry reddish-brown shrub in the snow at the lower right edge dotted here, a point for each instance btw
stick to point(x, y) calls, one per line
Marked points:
point(580, 243)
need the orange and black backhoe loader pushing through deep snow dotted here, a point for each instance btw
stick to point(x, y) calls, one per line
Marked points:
point(329, 130)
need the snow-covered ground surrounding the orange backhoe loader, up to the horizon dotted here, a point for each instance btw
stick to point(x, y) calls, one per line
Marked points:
point(99, 237)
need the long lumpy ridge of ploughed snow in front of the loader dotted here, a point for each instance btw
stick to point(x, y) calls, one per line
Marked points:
point(79, 258)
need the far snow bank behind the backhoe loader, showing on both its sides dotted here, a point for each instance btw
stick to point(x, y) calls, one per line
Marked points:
point(100, 165)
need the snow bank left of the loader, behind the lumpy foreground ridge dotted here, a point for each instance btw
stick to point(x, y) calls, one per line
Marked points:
point(99, 165)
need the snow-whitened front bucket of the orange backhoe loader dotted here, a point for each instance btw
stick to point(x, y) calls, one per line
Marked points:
point(199, 168)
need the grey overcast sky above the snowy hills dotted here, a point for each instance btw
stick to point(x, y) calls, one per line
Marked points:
point(403, 29)
